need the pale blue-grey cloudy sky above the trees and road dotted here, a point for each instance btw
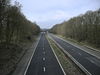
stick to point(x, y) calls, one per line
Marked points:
point(47, 13)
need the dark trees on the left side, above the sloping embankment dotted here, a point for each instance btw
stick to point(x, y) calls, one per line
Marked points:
point(13, 24)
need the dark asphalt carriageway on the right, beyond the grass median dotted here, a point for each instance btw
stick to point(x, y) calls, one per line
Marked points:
point(89, 62)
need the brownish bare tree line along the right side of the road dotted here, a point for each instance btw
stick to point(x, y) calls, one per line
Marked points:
point(85, 27)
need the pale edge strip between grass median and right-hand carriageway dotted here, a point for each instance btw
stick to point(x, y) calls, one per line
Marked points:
point(74, 60)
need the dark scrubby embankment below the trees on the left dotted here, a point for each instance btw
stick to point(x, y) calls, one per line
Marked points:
point(11, 54)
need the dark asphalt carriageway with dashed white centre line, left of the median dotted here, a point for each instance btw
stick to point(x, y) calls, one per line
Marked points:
point(44, 61)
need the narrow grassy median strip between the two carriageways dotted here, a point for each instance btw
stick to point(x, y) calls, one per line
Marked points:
point(69, 67)
